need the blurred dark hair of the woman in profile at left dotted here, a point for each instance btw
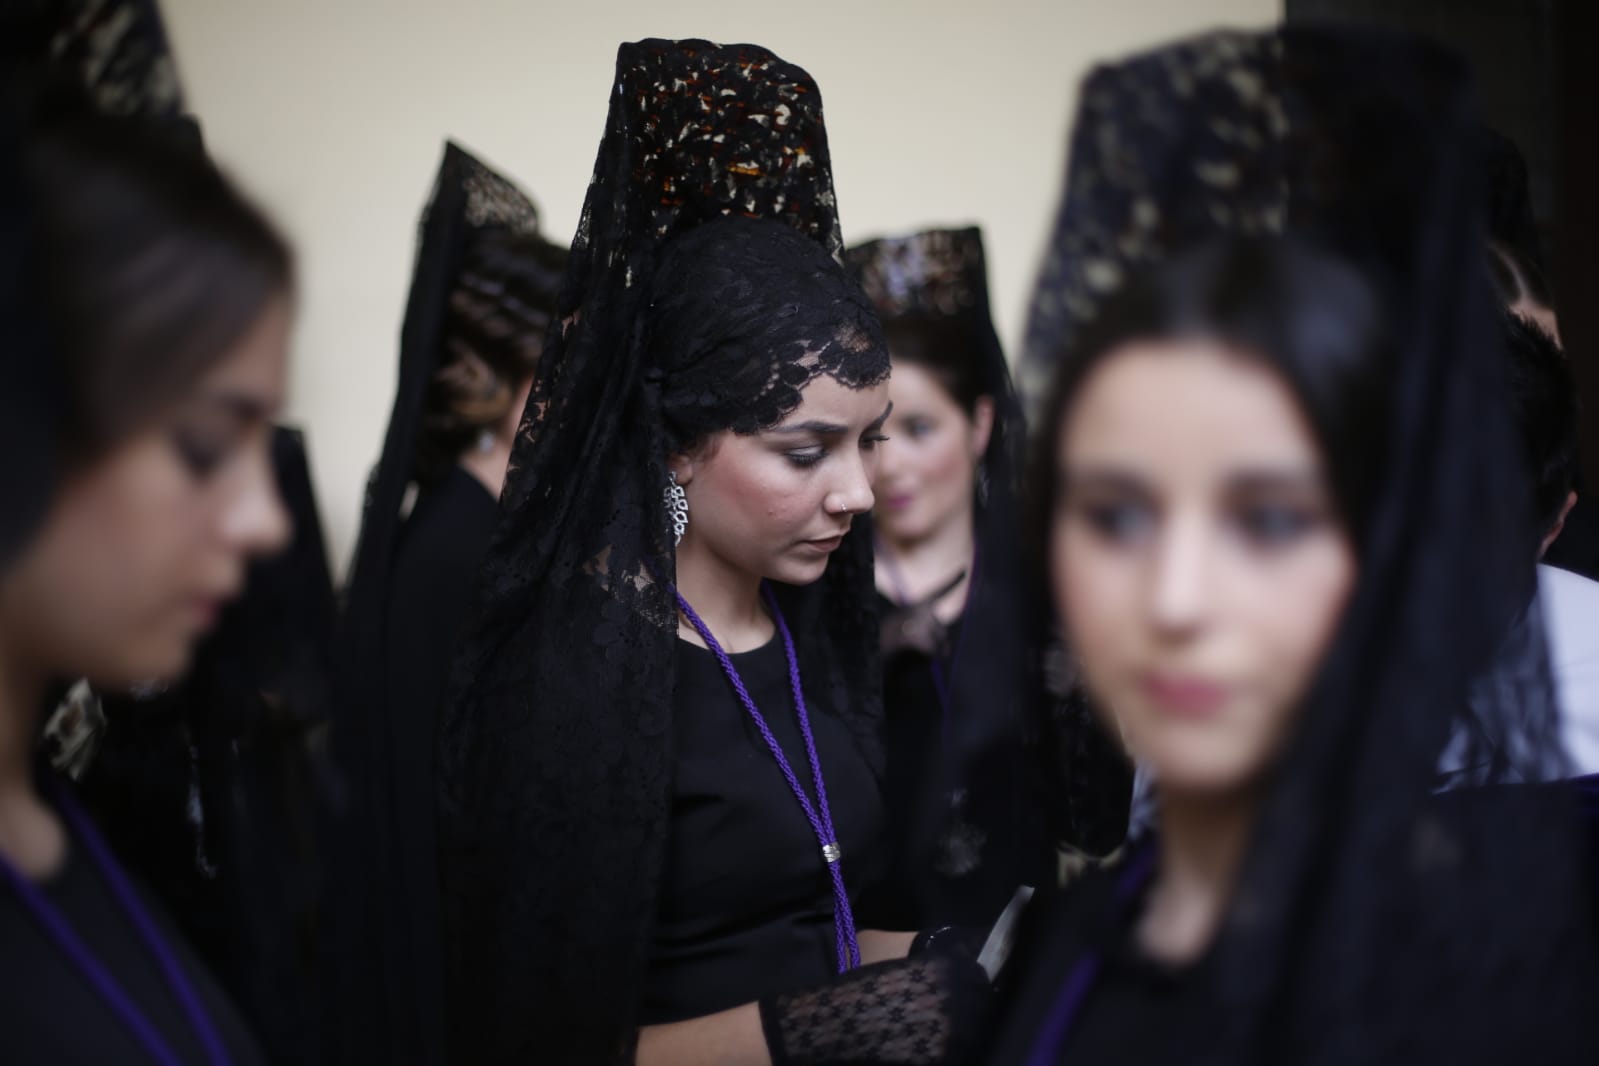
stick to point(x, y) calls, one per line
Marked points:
point(153, 268)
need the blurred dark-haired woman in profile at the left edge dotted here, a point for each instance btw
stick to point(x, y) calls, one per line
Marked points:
point(167, 306)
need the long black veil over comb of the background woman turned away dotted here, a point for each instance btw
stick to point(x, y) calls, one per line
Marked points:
point(389, 957)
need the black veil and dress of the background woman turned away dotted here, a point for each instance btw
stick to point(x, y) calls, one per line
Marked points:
point(409, 599)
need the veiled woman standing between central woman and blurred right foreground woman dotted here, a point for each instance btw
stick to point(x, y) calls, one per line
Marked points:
point(962, 664)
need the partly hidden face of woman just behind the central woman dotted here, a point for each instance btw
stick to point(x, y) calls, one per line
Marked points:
point(928, 472)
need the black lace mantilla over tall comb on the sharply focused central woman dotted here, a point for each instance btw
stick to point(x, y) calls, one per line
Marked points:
point(556, 755)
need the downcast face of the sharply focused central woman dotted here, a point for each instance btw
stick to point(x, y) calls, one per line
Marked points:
point(778, 504)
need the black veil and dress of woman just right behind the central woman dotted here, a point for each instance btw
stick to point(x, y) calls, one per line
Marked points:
point(968, 811)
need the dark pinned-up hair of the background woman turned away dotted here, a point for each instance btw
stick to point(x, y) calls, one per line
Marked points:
point(500, 312)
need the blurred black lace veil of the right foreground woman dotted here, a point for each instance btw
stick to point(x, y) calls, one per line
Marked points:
point(1374, 921)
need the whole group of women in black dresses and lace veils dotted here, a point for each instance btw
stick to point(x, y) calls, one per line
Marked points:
point(725, 675)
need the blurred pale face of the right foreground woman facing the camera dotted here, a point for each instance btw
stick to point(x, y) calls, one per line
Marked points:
point(1197, 557)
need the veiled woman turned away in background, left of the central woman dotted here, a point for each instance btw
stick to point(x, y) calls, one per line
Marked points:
point(482, 303)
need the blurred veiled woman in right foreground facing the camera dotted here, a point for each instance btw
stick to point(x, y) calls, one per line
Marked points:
point(1262, 479)
